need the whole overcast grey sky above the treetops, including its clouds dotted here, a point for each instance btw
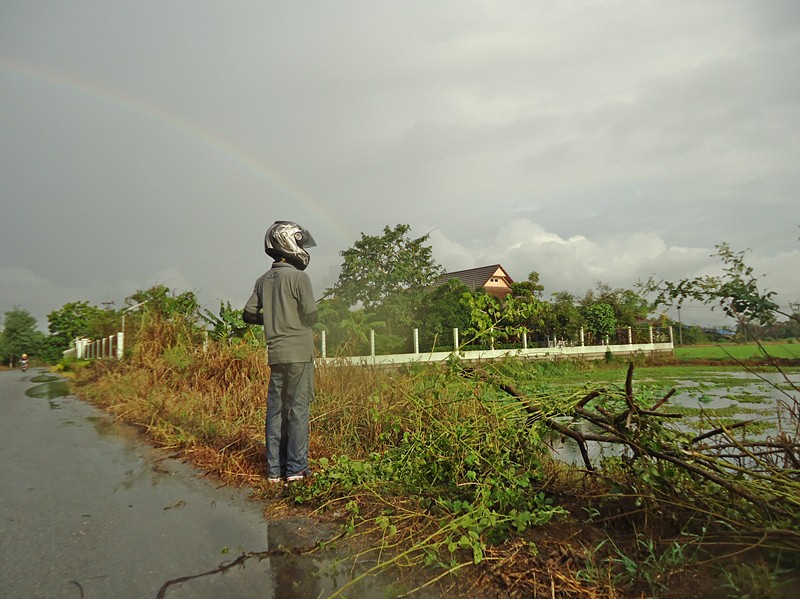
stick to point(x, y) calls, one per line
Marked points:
point(146, 142)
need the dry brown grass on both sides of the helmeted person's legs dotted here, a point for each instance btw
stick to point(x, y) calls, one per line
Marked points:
point(209, 401)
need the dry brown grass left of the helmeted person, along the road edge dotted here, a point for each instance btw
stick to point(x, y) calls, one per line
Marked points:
point(207, 401)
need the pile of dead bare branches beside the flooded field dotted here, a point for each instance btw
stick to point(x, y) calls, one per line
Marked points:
point(747, 487)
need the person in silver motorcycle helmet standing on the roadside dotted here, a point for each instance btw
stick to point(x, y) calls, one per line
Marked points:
point(283, 302)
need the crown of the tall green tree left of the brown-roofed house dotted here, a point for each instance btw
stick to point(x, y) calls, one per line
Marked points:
point(377, 268)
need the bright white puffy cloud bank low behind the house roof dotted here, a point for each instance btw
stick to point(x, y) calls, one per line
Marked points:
point(577, 263)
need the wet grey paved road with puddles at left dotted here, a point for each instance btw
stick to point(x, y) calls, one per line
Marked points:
point(88, 511)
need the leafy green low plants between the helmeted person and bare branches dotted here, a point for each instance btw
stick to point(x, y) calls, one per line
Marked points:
point(465, 465)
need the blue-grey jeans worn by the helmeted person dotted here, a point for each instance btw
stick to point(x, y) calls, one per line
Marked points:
point(289, 397)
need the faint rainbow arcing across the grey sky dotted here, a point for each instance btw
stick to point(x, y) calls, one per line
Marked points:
point(183, 126)
